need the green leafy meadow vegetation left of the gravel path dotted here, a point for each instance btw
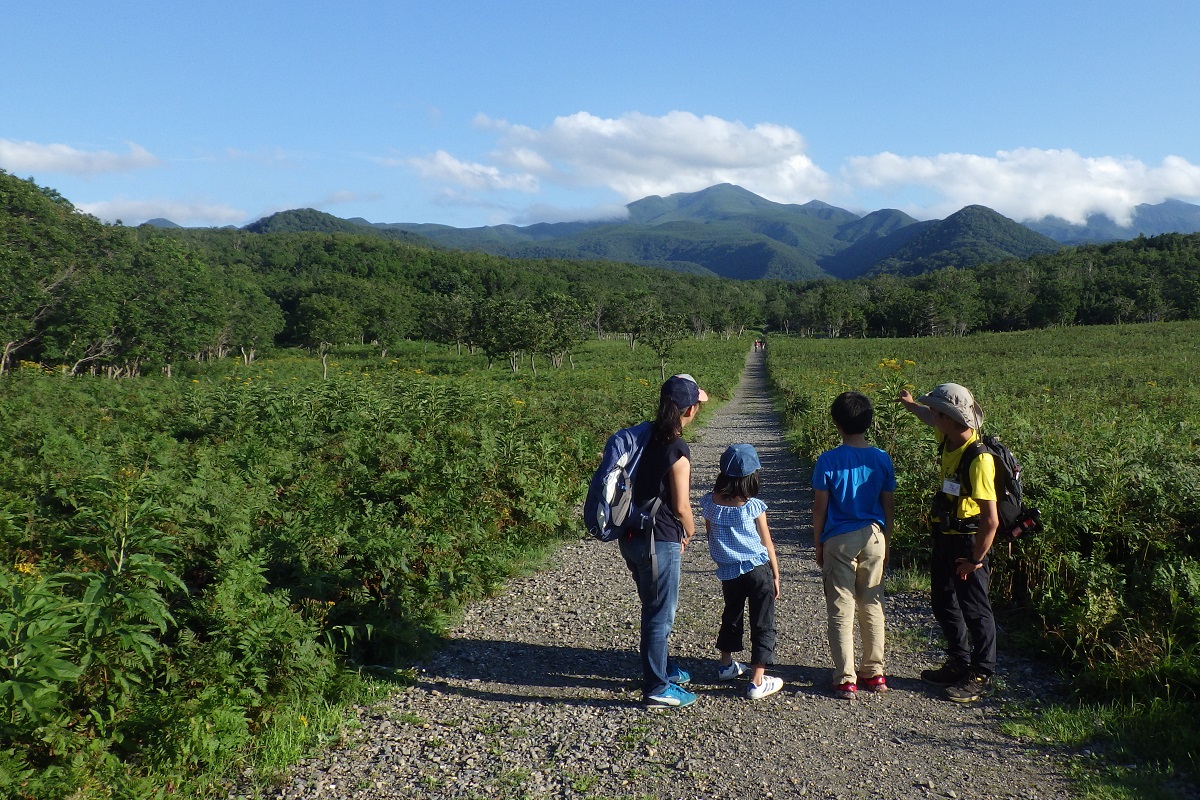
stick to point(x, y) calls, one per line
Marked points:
point(197, 572)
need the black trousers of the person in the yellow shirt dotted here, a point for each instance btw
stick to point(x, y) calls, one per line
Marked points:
point(962, 606)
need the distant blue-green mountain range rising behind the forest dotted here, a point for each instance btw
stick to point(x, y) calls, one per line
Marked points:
point(729, 232)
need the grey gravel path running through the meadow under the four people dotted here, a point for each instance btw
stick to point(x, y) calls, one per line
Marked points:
point(536, 694)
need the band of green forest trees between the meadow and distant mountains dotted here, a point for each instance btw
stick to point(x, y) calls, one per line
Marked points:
point(86, 297)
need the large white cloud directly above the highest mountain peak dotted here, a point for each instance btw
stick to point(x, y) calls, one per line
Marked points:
point(638, 155)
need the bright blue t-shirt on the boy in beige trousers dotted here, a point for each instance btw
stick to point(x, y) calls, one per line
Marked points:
point(854, 478)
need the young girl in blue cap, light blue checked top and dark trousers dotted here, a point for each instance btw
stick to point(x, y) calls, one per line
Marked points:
point(740, 543)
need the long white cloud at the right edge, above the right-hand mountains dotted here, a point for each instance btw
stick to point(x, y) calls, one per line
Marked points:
point(1030, 184)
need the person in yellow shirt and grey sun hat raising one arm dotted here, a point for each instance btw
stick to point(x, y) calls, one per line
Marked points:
point(965, 521)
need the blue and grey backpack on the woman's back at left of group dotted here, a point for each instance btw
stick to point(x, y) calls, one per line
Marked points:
point(609, 509)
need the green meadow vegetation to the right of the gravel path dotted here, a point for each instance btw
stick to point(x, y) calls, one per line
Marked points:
point(1107, 424)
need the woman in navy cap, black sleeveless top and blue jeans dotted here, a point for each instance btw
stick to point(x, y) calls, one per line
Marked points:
point(655, 556)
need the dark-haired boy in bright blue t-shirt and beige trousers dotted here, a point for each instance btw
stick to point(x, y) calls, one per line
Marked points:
point(853, 514)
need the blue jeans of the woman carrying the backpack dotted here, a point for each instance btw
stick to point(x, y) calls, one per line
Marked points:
point(661, 597)
